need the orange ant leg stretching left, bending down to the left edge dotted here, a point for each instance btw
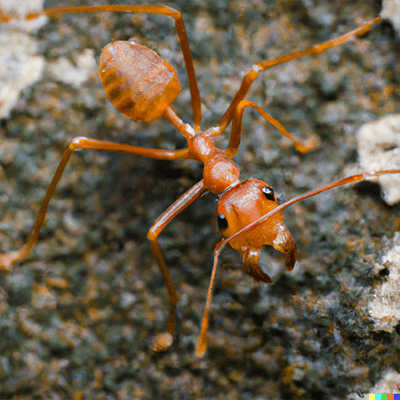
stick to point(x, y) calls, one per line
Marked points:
point(6, 260)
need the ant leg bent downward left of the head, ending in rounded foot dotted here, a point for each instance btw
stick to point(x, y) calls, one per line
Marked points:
point(164, 340)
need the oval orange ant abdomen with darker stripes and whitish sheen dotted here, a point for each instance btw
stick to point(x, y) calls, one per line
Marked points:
point(137, 81)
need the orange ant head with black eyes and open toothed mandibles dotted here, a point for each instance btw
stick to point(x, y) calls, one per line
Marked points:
point(243, 204)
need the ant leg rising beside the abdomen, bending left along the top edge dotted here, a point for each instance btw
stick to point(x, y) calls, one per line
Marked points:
point(163, 10)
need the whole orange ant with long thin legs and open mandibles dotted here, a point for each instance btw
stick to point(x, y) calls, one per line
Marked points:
point(142, 86)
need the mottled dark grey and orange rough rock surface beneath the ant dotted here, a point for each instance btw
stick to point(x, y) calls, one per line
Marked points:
point(77, 315)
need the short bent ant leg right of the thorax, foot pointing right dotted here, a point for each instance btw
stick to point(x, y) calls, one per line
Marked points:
point(236, 130)
